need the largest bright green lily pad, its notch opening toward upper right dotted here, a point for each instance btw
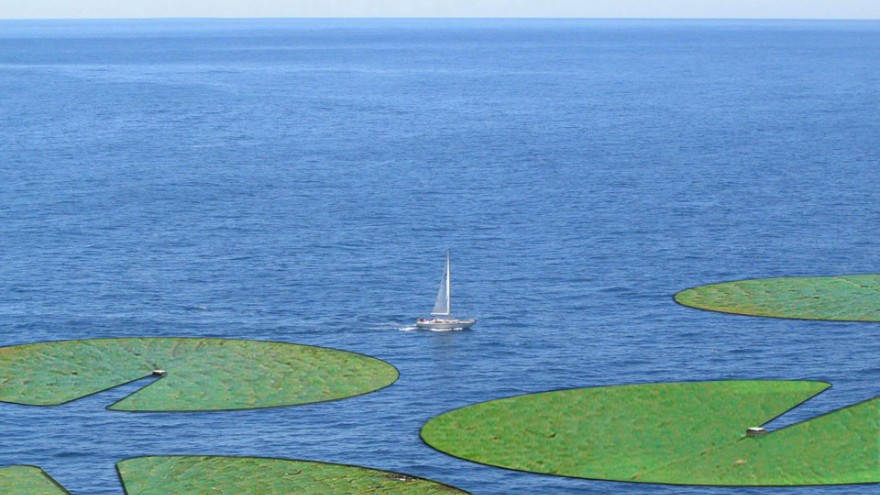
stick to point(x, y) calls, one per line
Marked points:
point(675, 433)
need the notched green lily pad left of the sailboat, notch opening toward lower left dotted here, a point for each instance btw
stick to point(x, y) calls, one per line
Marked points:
point(196, 374)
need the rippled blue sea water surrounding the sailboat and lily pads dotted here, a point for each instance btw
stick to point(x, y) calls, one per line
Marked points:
point(301, 180)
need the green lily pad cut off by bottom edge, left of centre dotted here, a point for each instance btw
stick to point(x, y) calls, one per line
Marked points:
point(172, 475)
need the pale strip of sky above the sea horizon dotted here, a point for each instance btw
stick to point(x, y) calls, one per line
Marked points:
point(709, 9)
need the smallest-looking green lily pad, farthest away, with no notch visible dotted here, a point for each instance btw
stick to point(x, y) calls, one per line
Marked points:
point(844, 298)
